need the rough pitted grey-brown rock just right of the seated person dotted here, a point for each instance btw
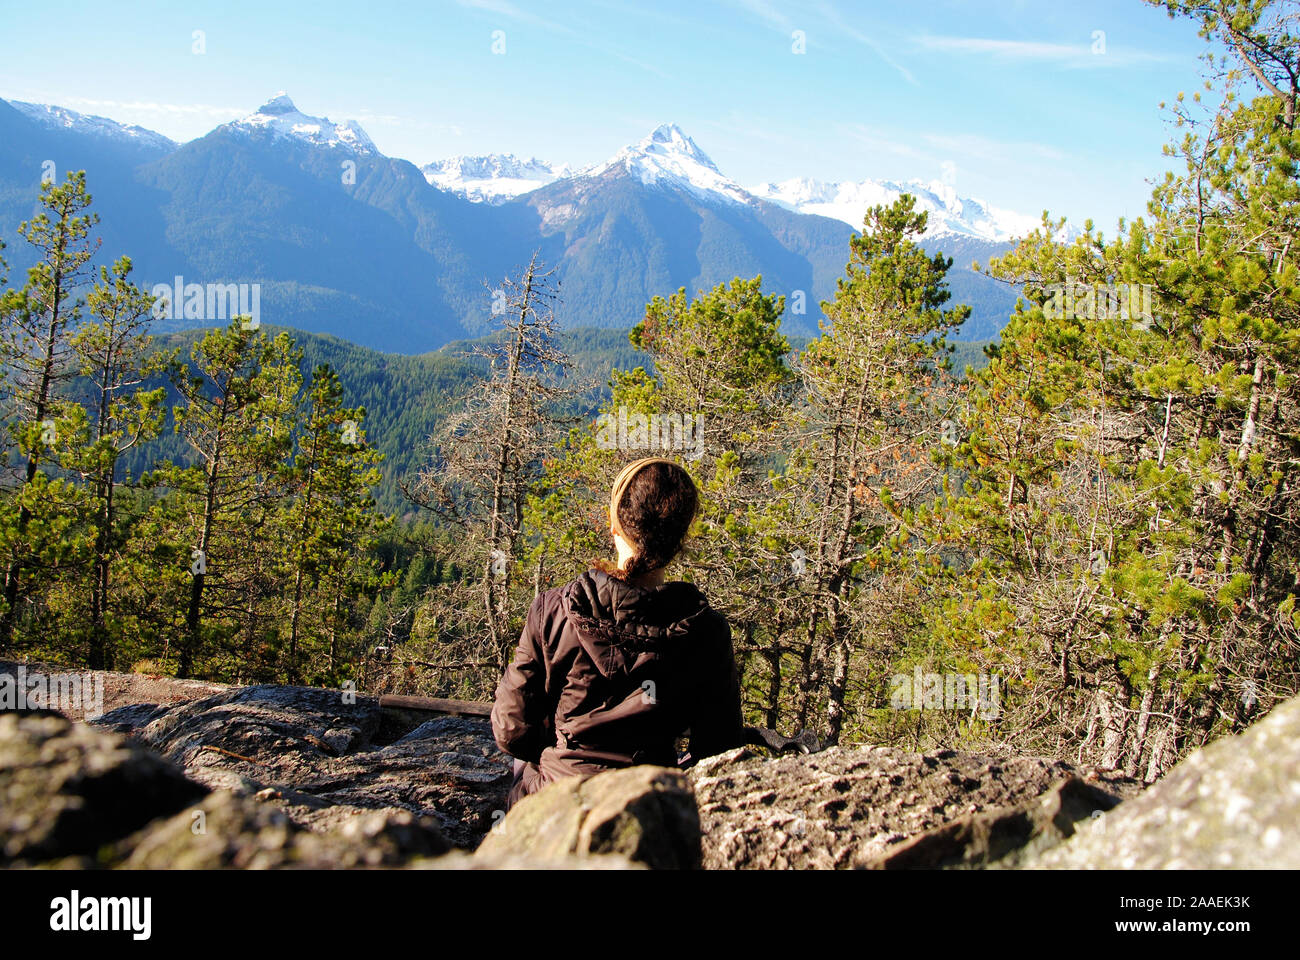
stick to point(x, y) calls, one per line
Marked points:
point(860, 808)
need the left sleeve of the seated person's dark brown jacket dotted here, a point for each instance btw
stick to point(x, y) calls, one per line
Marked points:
point(521, 716)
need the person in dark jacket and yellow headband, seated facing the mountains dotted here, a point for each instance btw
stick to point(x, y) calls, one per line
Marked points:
point(616, 667)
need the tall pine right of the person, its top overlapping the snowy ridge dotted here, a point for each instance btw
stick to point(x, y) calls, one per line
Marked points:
point(869, 434)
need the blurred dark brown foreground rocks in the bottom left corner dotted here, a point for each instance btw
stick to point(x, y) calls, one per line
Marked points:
point(76, 797)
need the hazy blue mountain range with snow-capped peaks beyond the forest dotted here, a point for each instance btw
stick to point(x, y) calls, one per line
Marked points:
point(395, 258)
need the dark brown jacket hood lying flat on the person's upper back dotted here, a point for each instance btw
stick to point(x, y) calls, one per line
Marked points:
point(618, 622)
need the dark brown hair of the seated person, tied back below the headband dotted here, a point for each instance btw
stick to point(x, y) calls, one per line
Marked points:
point(655, 514)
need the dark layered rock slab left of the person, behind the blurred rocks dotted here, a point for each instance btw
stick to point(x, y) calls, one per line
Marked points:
point(322, 756)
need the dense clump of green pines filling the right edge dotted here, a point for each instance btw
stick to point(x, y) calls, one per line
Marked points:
point(1129, 524)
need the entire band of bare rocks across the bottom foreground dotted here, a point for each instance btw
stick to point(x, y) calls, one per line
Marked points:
point(291, 777)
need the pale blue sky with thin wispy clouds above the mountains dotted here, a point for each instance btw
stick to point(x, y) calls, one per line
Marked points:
point(1028, 103)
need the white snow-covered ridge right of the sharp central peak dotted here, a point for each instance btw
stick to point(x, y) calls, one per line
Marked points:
point(950, 214)
